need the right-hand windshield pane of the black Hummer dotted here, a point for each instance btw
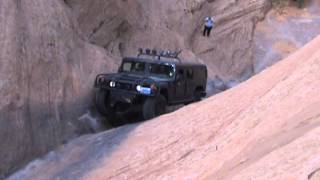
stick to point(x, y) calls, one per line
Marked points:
point(161, 70)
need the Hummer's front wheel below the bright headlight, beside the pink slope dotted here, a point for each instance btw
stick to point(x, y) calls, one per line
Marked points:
point(154, 106)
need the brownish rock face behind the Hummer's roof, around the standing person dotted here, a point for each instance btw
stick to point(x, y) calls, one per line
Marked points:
point(122, 27)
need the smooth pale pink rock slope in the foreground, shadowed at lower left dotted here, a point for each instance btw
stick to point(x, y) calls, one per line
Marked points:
point(265, 128)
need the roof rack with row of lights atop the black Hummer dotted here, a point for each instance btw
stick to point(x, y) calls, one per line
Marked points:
point(163, 53)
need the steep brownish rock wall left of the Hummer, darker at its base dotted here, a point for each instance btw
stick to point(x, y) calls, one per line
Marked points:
point(46, 76)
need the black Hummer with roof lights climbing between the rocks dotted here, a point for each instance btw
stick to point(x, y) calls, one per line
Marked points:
point(148, 83)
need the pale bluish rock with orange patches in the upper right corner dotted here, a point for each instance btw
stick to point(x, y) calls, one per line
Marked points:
point(285, 29)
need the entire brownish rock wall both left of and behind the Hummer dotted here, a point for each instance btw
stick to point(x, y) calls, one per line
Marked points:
point(47, 67)
